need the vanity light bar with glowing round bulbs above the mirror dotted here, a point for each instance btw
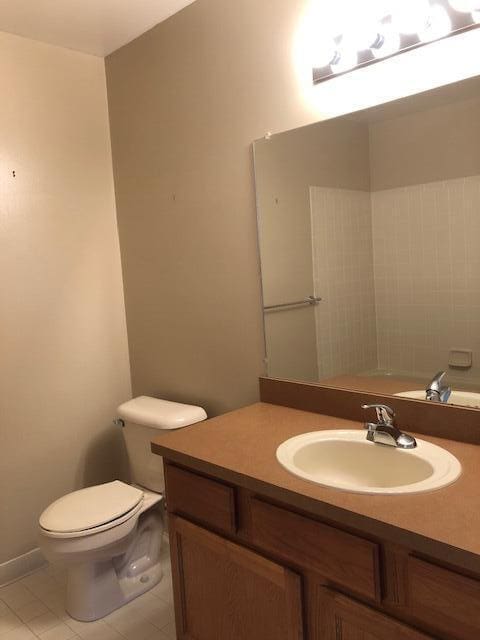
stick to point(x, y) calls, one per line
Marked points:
point(387, 28)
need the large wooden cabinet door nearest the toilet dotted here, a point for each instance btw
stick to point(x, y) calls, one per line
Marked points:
point(225, 591)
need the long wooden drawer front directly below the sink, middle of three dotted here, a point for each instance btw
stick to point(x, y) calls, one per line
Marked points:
point(342, 558)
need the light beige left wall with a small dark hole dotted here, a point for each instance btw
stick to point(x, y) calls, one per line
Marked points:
point(63, 340)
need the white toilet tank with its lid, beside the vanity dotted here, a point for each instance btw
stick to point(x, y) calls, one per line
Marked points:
point(143, 417)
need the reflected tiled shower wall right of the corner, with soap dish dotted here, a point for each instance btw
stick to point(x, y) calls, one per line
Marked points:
point(426, 241)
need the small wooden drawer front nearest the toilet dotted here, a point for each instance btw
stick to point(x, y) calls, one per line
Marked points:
point(208, 501)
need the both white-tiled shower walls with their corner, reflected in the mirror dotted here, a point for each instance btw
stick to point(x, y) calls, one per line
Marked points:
point(399, 272)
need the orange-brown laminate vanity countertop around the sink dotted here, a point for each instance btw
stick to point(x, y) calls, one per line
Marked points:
point(239, 447)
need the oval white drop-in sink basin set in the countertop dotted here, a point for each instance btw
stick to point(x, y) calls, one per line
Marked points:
point(346, 460)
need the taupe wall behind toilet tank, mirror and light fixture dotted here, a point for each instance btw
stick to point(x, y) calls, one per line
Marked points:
point(186, 101)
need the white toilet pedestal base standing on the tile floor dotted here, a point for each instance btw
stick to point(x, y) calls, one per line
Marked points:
point(95, 589)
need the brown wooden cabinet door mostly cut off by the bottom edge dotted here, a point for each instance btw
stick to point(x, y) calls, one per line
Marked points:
point(341, 618)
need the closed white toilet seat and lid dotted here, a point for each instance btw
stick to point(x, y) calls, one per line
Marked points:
point(92, 510)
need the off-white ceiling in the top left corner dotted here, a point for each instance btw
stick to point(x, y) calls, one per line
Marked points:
point(92, 26)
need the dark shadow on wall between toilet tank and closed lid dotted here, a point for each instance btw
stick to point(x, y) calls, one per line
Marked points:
point(106, 452)
